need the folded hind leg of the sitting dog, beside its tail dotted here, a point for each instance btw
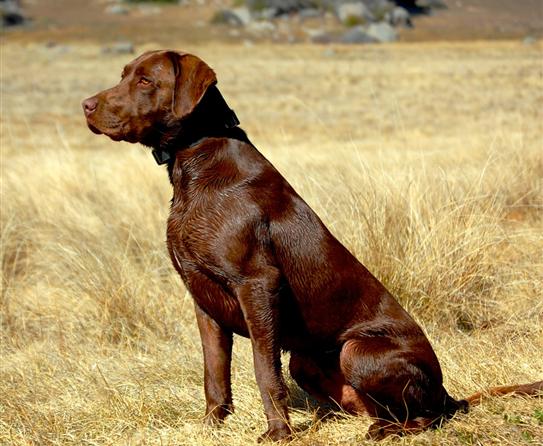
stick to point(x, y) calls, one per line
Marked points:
point(401, 388)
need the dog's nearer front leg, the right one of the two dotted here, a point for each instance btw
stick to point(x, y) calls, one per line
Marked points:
point(259, 300)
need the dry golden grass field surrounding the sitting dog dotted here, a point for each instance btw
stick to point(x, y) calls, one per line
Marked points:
point(426, 160)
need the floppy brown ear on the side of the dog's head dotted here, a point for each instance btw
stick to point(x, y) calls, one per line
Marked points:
point(192, 79)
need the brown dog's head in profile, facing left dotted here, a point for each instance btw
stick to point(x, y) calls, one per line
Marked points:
point(156, 90)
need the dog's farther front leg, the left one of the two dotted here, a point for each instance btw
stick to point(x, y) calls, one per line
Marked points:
point(217, 347)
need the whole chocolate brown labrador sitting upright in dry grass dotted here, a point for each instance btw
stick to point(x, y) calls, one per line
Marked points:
point(260, 263)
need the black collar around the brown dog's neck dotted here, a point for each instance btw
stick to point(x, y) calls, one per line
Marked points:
point(211, 118)
